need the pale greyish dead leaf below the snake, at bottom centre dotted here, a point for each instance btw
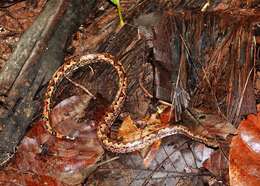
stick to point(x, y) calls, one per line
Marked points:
point(171, 164)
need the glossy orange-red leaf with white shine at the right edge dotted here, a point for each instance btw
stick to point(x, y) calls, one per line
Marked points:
point(245, 153)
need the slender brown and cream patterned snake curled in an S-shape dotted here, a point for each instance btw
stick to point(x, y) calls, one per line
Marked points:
point(105, 124)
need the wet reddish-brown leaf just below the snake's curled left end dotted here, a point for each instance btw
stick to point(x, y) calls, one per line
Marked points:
point(65, 161)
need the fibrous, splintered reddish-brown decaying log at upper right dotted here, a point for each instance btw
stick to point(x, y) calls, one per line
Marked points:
point(219, 65)
